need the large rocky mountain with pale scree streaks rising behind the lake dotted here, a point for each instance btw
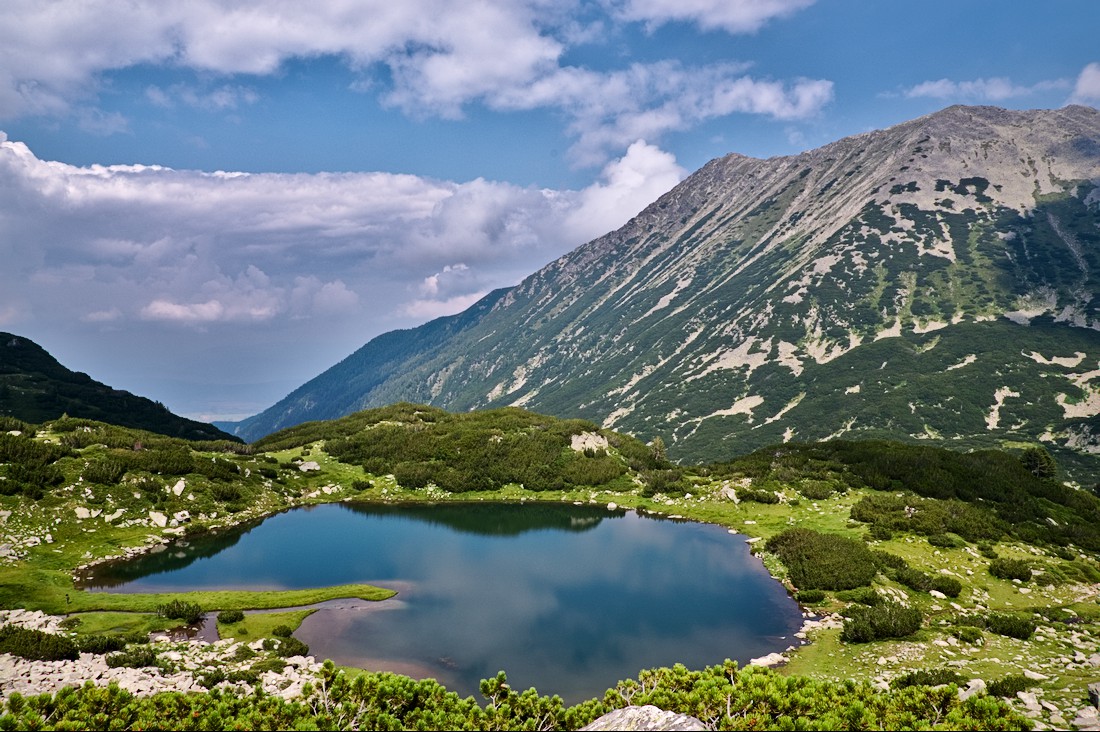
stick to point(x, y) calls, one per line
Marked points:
point(937, 281)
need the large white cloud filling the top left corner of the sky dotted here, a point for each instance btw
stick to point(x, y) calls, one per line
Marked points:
point(441, 53)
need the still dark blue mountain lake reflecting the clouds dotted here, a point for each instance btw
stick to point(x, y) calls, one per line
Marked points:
point(568, 599)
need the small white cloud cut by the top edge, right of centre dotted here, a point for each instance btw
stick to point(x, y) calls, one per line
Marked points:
point(731, 16)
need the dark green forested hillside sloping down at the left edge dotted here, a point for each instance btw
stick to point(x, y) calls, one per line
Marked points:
point(36, 388)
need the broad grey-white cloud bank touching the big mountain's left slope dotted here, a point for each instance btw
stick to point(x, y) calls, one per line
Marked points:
point(140, 244)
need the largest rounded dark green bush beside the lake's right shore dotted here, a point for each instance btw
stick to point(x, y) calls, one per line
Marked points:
point(823, 562)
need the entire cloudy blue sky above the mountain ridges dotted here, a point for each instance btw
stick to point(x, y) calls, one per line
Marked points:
point(208, 203)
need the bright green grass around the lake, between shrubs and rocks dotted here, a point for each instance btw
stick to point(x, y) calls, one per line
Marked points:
point(45, 578)
